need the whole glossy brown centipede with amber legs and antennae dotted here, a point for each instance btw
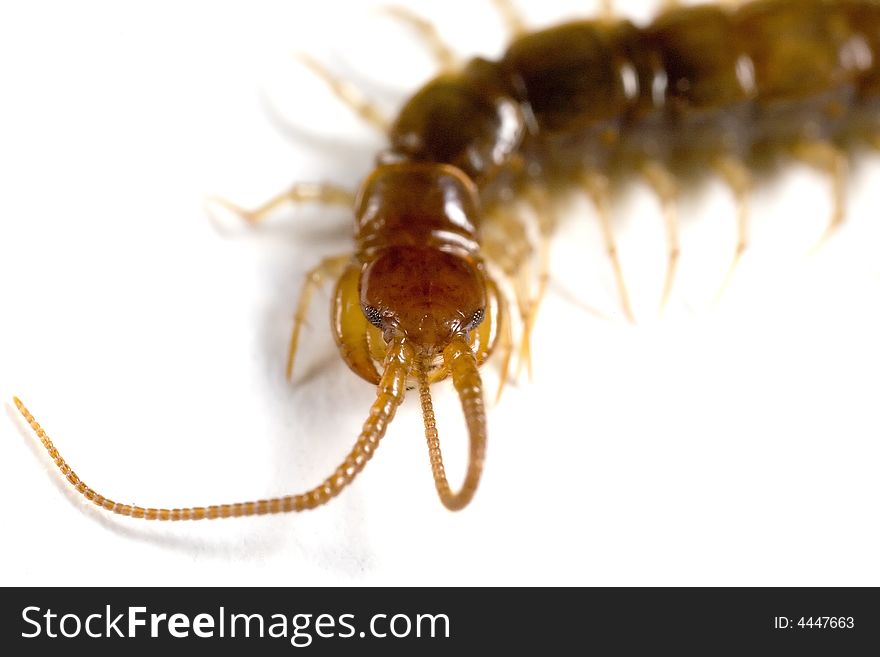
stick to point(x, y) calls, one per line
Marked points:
point(444, 276)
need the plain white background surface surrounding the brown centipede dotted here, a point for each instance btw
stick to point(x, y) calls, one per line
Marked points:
point(730, 443)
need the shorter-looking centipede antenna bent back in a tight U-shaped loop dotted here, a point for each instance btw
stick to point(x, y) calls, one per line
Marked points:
point(466, 378)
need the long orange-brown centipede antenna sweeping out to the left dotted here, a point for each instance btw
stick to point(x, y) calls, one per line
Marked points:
point(389, 395)
